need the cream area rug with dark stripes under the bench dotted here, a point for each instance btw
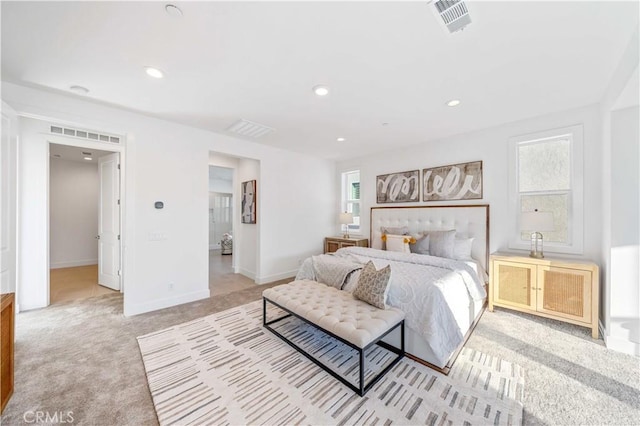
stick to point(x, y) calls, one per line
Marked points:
point(225, 369)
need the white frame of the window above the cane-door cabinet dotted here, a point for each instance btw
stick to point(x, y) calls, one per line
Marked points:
point(575, 230)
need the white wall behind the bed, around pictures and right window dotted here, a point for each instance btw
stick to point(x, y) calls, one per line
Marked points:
point(491, 146)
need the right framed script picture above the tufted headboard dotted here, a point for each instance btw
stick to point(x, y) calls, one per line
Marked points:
point(454, 182)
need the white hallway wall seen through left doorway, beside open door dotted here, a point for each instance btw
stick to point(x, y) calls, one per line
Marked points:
point(74, 191)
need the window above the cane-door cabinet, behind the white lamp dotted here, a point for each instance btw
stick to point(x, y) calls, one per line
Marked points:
point(546, 174)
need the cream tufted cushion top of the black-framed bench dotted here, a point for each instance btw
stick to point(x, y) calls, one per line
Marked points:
point(335, 311)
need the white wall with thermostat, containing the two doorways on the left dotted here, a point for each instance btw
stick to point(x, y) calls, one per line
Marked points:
point(168, 162)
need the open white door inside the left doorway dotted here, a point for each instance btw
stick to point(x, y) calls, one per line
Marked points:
point(109, 222)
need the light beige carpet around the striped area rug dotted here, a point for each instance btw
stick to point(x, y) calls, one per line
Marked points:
point(83, 356)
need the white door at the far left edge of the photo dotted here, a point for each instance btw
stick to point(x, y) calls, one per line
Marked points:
point(8, 187)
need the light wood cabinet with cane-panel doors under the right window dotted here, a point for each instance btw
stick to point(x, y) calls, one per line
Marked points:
point(565, 290)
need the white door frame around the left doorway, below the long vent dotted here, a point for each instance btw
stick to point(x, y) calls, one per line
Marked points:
point(78, 143)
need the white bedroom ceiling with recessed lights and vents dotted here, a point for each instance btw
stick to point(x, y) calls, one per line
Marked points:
point(384, 62)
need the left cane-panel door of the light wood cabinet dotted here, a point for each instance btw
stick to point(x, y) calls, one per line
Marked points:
point(514, 284)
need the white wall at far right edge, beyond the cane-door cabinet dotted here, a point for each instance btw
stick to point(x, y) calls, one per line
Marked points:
point(615, 316)
